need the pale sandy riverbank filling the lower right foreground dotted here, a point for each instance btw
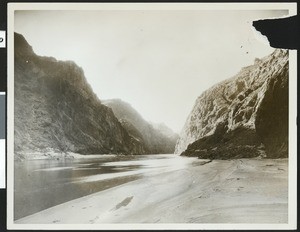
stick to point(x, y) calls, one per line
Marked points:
point(232, 191)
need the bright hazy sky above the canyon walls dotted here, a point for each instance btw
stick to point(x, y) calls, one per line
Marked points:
point(158, 61)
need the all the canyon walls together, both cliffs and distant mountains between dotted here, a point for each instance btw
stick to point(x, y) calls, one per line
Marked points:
point(57, 111)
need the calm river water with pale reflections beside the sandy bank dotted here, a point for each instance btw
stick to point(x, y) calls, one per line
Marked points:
point(40, 184)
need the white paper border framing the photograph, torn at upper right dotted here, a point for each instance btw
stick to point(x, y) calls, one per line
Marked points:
point(292, 178)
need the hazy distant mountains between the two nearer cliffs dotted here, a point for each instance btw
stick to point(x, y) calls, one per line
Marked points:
point(155, 140)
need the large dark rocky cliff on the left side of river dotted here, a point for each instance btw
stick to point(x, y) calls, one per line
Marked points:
point(56, 109)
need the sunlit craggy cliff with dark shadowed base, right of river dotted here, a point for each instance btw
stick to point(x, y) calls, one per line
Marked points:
point(245, 116)
